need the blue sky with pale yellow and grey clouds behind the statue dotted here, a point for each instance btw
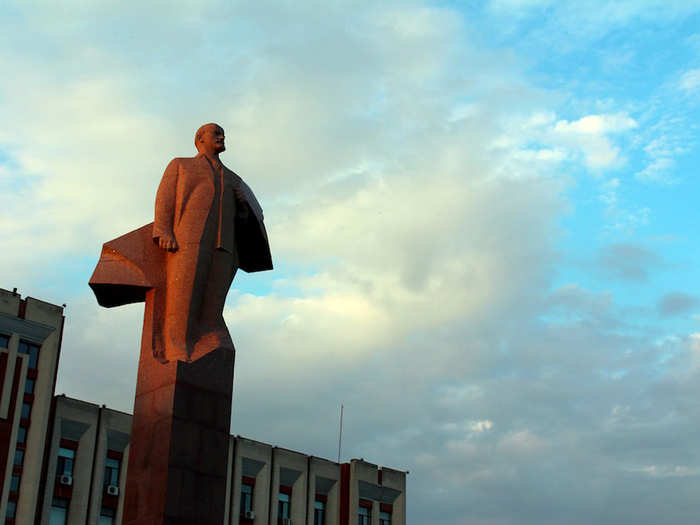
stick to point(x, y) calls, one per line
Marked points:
point(482, 215)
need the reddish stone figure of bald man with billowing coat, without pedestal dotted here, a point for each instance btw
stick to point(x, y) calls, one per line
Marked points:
point(208, 224)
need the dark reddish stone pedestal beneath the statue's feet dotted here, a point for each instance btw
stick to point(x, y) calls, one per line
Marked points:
point(179, 441)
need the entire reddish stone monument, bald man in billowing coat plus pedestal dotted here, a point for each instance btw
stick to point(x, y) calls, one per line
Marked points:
point(208, 224)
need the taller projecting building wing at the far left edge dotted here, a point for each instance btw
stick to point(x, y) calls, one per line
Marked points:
point(30, 344)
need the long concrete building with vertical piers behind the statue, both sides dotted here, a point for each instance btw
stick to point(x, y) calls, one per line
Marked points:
point(63, 461)
